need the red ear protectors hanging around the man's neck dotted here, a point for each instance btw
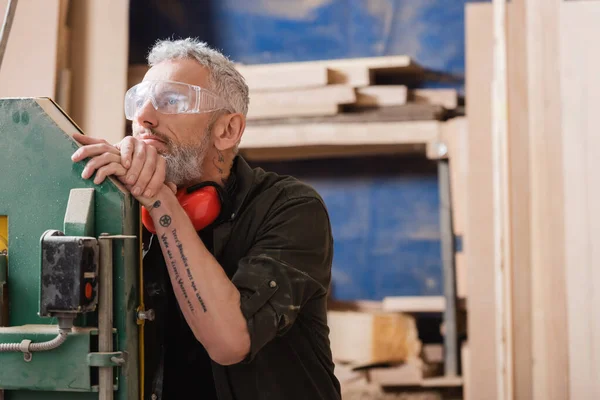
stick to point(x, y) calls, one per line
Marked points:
point(203, 203)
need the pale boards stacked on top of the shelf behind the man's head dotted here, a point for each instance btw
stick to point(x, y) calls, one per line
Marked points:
point(328, 87)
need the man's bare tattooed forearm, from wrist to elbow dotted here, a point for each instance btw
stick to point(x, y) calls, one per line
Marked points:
point(206, 296)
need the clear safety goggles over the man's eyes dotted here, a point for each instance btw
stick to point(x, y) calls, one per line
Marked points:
point(170, 97)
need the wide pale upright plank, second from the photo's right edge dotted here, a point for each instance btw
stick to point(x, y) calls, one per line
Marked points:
point(549, 327)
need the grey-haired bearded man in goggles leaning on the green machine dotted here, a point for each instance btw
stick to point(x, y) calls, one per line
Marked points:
point(241, 304)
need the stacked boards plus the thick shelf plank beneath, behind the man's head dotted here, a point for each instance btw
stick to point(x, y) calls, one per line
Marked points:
point(344, 107)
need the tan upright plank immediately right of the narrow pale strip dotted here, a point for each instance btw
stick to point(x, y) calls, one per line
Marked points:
point(520, 211)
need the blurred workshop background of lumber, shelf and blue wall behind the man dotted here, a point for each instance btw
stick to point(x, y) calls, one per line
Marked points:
point(452, 141)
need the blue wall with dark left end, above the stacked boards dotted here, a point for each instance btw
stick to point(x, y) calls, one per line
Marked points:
point(266, 31)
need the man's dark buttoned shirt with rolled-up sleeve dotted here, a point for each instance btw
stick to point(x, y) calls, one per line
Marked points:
point(276, 246)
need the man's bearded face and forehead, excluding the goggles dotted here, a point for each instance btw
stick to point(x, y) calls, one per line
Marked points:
point(183, 139)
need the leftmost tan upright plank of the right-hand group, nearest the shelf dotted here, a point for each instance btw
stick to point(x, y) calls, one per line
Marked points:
point(478, 240)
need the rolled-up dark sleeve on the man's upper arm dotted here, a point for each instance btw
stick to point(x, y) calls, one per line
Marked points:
point(289, 264)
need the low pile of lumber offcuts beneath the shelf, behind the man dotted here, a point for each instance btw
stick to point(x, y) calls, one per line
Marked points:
point(375, 345)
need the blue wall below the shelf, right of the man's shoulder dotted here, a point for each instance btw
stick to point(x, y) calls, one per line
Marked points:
point(385, 218)
